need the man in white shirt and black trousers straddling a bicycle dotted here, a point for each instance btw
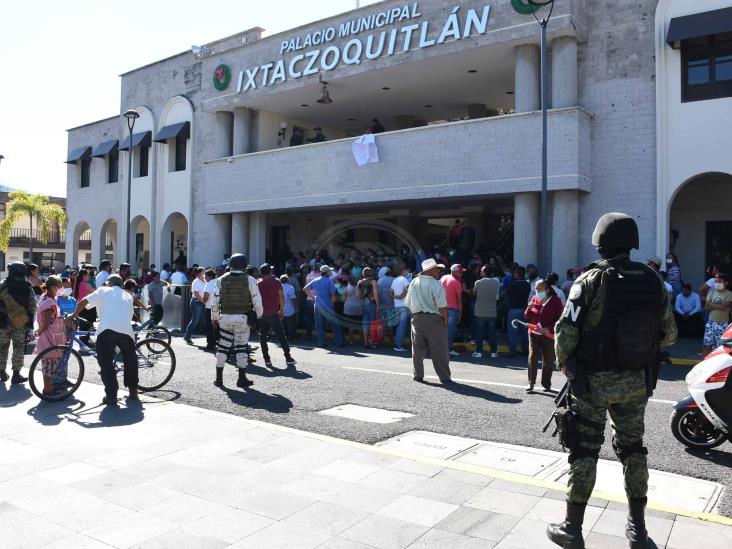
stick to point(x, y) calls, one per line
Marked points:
point(114, 309)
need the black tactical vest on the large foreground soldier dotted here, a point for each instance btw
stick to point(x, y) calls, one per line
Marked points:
point(628, 335)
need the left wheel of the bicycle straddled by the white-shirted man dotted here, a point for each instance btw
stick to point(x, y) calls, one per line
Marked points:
point(56, 373)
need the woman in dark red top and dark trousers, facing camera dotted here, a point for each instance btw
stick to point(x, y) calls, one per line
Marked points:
point(542, 313)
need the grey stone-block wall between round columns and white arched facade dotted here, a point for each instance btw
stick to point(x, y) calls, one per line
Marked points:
point(616, 84)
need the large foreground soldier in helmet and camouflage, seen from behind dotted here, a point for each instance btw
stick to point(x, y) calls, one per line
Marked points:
point(618, 315)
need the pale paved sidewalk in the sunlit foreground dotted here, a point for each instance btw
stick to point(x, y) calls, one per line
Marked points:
point(159, 474)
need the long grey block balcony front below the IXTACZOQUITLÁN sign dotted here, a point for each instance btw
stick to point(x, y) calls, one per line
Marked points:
point(414, 164)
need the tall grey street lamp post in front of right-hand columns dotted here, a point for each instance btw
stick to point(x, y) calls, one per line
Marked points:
point(526, 7)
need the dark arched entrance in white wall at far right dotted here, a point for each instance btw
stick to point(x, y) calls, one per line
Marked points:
point(701, 225)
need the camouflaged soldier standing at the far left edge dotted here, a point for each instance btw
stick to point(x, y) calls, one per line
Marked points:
point(17, 309)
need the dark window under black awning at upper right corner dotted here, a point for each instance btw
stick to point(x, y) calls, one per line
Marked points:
point(706, 65)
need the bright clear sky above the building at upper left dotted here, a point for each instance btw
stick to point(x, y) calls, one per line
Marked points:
point(60, 62)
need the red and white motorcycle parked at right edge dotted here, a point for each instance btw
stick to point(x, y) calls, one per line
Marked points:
point(703, 419)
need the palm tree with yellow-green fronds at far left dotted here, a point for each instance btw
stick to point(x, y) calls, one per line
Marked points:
point(38, 208)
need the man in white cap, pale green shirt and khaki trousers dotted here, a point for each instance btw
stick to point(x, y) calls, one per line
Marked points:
point(427, 301)
